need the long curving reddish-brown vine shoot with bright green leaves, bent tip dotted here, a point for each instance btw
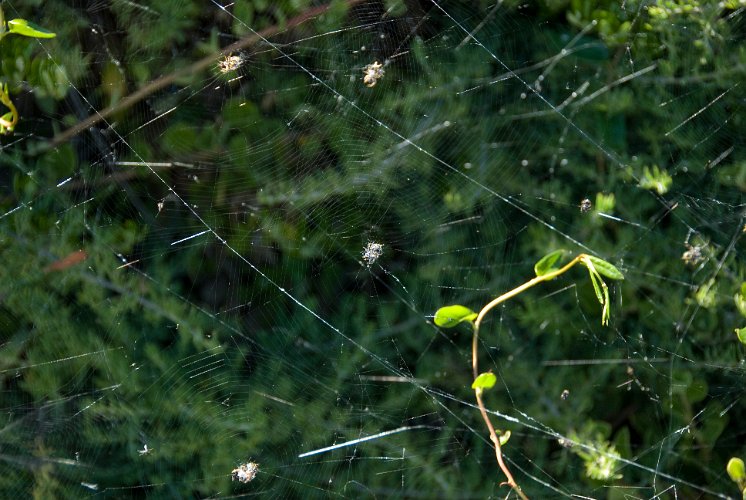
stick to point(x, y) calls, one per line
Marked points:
point(546, 269)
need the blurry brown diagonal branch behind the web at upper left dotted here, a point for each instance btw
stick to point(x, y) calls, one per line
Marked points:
point(197, 67)
